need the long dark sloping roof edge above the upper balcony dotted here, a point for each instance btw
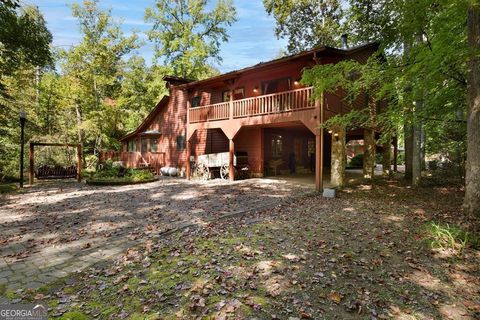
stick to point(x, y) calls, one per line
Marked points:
point(322, 49)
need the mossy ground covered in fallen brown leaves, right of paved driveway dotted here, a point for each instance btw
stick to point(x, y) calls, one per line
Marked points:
point(362, 255)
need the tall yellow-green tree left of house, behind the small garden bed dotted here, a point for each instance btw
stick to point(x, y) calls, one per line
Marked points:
point(93, 70)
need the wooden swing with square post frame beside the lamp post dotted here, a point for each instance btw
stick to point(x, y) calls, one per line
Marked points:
point(54, 163)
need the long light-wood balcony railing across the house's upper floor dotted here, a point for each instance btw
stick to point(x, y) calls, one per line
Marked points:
point(286, 101)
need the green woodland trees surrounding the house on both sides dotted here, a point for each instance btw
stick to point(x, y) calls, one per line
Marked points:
point(94, 92)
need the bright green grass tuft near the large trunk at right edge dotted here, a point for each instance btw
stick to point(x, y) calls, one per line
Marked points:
point(449, 237)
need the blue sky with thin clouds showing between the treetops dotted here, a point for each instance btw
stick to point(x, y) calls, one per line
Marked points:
point(252, 39)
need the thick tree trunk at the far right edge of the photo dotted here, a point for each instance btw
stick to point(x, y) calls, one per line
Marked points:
point(472, 178)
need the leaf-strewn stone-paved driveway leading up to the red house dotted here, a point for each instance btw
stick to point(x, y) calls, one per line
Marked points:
point(56, 228)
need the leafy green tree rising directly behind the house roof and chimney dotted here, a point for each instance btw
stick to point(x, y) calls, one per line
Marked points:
point(187, 37)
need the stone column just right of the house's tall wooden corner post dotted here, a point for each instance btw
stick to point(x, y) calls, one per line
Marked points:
point(338, 157)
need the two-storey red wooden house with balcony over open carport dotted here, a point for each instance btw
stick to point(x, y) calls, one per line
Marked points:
point(262, 110)
